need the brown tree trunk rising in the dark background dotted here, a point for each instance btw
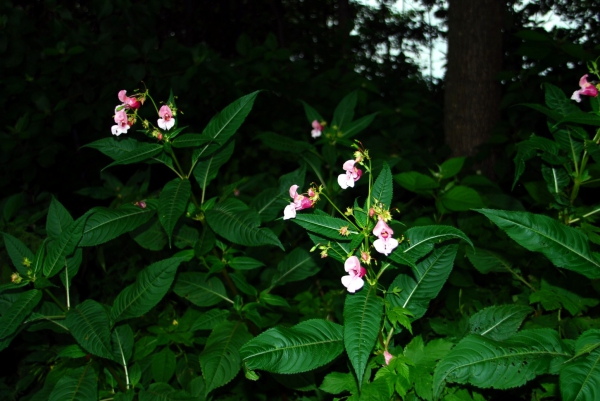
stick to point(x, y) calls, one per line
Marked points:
point(472, 95)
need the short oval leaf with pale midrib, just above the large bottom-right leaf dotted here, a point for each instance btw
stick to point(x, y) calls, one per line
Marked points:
point(499, 322)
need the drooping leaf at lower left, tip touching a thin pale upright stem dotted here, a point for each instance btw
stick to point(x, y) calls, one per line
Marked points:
point(89, 324)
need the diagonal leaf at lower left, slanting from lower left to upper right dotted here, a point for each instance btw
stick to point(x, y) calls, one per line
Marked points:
point(150, 286)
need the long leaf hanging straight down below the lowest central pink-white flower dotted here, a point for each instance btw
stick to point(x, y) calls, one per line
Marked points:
point(362, 319)
